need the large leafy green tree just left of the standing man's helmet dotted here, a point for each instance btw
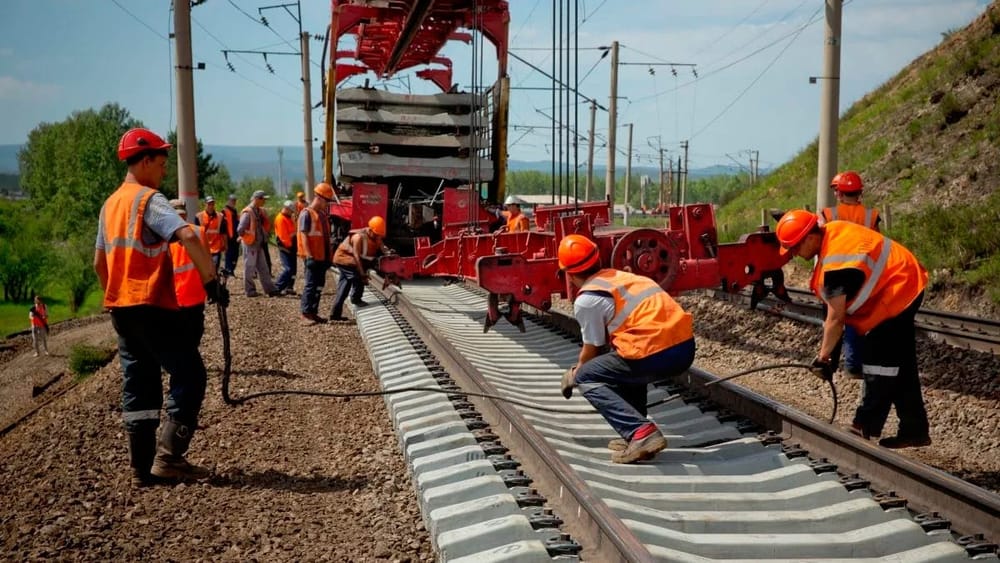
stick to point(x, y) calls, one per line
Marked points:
point(69, 168)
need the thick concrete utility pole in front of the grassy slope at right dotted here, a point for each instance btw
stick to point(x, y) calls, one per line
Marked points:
point(829, 105)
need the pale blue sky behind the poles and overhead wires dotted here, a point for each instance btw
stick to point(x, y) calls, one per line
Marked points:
point(57, 56)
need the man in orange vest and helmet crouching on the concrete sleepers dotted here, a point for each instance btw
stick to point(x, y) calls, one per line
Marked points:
point(651, 338)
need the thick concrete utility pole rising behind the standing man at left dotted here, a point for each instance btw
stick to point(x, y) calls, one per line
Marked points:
point(187, 162)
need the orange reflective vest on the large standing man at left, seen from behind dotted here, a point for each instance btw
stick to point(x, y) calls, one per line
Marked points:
point(138, 273)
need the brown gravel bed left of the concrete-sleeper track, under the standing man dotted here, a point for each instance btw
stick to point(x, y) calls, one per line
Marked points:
point(294, 478)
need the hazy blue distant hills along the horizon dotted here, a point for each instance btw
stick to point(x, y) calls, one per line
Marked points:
point(246, 161)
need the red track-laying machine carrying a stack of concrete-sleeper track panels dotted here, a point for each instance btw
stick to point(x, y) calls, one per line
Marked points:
point(412, 159)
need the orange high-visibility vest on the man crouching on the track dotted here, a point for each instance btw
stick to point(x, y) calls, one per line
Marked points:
point(647, 320)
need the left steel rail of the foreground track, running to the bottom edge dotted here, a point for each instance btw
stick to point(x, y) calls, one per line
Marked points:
point(584, 513)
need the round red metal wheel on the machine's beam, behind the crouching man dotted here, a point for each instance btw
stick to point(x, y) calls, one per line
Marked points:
point(650, 253)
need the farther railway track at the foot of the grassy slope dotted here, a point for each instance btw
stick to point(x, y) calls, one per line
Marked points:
point(963, 331)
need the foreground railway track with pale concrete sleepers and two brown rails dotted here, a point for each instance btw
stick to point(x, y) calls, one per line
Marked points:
point(743, 477)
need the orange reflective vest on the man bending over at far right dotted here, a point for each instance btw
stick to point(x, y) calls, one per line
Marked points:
point(893, 276)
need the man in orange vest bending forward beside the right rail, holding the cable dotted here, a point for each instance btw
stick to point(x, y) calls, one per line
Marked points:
point(875, 285)
